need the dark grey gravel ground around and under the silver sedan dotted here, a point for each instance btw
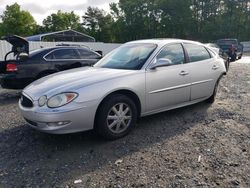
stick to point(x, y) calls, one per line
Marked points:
point(197, 146)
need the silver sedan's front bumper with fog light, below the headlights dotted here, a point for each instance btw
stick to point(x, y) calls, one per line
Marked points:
point(61, 121)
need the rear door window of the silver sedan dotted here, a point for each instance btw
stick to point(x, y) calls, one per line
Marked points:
point(196, 52)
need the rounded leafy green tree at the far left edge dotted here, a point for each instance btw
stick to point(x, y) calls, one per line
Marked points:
point(17, 21)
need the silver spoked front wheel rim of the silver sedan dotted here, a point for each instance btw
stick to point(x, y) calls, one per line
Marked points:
point(119, 118)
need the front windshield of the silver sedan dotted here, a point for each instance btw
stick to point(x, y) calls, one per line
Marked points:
point(130, 56)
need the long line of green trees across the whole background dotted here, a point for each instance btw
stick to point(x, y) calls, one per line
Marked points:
point(203, 20)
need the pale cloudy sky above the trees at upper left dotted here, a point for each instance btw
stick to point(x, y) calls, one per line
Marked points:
point(40, 9)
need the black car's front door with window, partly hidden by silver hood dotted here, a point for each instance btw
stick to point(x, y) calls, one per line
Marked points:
point(88, 57)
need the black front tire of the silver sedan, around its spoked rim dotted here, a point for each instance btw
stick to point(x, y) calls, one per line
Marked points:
point(103, 124)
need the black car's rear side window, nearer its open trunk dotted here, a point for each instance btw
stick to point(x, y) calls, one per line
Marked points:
point(64, 54)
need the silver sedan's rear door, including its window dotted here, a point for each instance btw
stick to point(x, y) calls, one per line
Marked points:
point(201, 70)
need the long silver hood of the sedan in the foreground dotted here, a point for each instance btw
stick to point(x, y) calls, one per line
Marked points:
point(72, 80)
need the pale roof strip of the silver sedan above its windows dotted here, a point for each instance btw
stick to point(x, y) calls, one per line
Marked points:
point(163, 41)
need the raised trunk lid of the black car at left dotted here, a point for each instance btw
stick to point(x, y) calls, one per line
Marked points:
point(19, 44)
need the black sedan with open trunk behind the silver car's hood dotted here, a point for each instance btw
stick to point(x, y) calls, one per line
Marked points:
point(29, 66)
